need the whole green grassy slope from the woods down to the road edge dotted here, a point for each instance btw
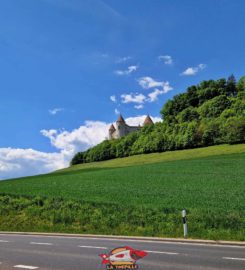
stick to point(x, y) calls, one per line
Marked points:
point(208, 182)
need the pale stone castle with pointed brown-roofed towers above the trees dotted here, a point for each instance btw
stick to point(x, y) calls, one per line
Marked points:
point(122, 129)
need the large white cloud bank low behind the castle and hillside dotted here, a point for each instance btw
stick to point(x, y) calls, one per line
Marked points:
point(16, 162)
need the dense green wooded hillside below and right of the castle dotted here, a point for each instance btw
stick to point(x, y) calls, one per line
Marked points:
point(212, 112)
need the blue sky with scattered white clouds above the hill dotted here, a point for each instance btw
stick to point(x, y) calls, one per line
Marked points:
point(69, 67)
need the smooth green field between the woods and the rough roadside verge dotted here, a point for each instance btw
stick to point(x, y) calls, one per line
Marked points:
point(215, 181)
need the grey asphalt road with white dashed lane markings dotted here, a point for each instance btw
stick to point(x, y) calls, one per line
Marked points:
point(76, 253)
